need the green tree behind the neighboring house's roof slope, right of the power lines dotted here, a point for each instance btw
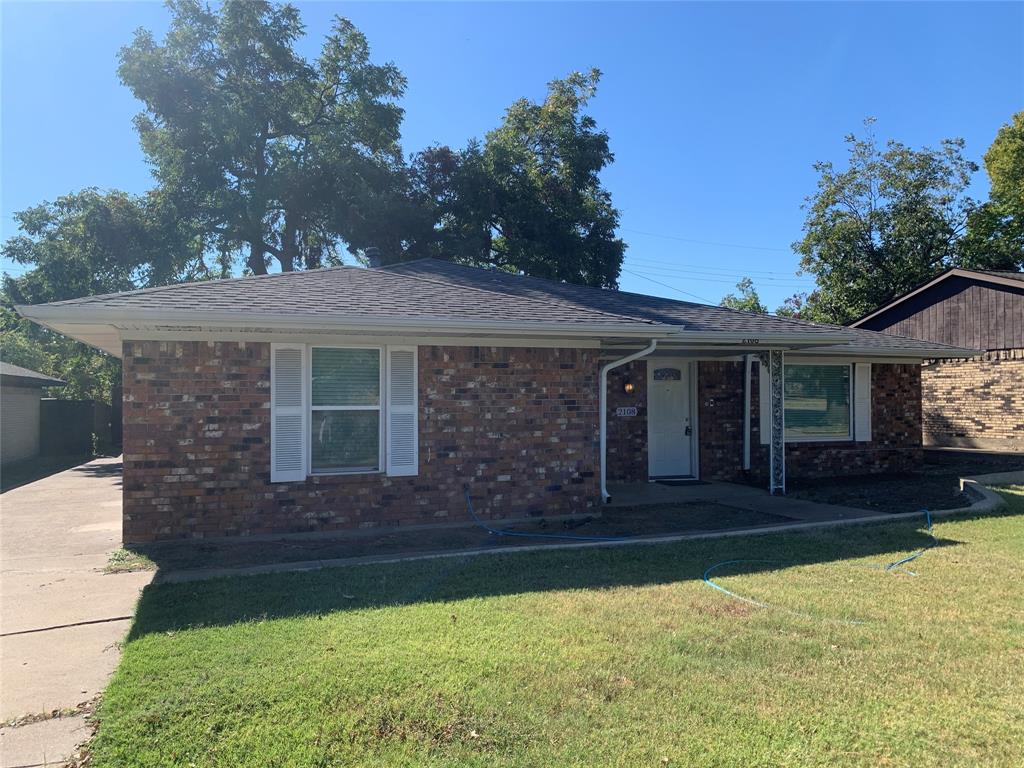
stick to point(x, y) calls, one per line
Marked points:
point(889, 221)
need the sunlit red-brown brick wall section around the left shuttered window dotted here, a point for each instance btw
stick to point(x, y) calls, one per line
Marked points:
point(521, 425)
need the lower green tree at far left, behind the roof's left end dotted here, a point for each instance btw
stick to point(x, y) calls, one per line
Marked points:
point(86, 244)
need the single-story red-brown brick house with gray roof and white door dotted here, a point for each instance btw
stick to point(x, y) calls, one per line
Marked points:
point(349, 399)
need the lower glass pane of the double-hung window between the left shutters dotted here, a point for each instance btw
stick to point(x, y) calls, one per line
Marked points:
point(346, 441)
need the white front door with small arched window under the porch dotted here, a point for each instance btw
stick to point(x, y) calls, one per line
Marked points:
point(669, 419)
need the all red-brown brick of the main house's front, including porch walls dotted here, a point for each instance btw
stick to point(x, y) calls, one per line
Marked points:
point(521, 425)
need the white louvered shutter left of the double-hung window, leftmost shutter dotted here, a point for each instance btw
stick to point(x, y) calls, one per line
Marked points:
point(288, 413)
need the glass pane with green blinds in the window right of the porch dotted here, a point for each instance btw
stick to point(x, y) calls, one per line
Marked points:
point(818, 401)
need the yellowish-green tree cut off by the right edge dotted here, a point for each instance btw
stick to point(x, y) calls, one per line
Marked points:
point(995, 239)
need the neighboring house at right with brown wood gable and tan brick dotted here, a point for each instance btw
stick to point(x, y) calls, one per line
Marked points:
point(976, 402)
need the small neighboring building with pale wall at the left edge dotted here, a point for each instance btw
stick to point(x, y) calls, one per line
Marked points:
point(21, 391)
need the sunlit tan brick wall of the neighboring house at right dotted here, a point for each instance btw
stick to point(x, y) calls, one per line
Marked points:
point(975, 403)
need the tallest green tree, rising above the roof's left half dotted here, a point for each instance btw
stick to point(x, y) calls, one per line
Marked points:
point(275, 156)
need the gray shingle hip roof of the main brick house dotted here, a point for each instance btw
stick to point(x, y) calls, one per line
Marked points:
point(434, 290)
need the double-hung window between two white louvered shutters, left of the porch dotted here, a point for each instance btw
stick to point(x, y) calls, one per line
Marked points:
point(346, 419)
